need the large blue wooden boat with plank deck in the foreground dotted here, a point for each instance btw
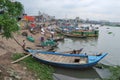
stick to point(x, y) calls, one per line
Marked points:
point(75, 61)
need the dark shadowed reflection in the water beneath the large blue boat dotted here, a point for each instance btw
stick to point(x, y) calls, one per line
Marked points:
point(76, 73)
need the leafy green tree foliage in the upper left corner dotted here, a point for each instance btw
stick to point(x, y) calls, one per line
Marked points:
point(9, 12)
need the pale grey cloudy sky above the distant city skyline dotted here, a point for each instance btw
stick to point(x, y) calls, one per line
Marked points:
point(92, 9)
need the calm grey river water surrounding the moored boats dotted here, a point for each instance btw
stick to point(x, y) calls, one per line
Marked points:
point(107, 41)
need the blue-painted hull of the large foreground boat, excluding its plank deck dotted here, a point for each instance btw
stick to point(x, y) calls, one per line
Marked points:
point(91, 59)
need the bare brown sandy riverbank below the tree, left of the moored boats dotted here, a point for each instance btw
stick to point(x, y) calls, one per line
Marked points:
point(10, 45)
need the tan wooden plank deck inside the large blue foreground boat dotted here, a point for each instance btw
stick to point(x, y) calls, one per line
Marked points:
point(63, 59)
